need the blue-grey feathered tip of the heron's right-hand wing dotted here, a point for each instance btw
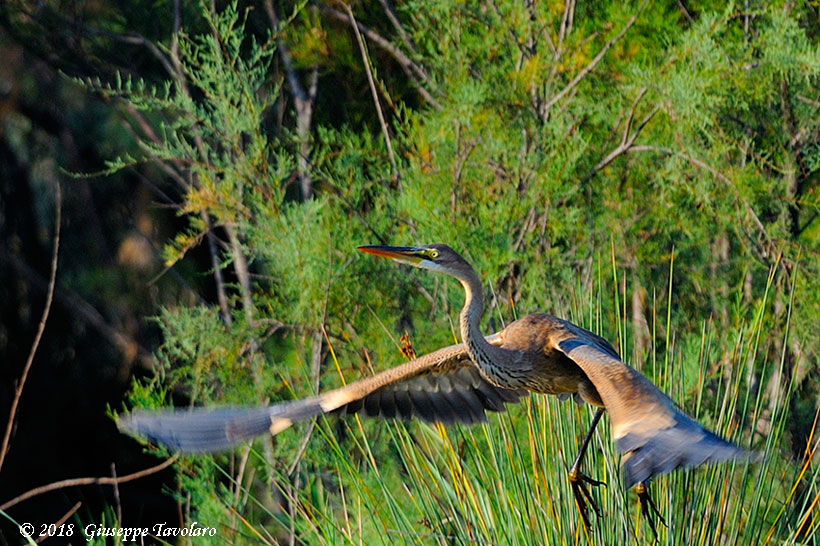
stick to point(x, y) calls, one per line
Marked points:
point(684, 445)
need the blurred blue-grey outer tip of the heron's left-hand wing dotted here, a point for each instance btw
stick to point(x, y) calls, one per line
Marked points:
point(205, 430)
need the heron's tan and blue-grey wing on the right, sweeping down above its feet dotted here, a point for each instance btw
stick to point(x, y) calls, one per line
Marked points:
point(647, 426)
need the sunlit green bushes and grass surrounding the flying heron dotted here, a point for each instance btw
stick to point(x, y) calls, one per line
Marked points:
point(628, 136)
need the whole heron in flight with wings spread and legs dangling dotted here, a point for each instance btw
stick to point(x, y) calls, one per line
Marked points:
point(459, 383)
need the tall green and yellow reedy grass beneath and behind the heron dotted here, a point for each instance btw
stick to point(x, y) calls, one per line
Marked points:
point(506, 483)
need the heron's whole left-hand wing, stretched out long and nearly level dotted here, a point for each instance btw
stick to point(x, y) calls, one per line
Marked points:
point(443, 386)
